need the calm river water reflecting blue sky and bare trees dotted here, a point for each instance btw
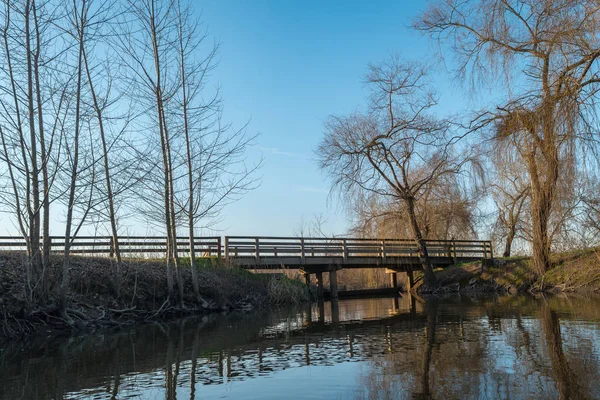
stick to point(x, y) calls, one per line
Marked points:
point(403, 348)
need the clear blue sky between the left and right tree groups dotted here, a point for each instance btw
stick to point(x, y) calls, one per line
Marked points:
point(287, 66)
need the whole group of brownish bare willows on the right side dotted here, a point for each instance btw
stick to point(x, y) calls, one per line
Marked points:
point(531, 154)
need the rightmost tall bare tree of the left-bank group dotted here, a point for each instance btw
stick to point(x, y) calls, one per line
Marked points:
point(212, 152)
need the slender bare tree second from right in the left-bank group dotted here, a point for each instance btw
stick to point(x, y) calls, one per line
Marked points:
point(148, 51)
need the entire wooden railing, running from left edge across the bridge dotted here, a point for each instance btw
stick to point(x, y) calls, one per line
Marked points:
point(237, 247)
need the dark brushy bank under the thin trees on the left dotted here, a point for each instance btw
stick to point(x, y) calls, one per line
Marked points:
point(96, 299)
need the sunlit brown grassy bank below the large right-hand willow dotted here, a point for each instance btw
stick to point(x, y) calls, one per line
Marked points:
point(572, 272)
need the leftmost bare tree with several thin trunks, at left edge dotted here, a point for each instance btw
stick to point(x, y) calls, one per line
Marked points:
point(34, 103)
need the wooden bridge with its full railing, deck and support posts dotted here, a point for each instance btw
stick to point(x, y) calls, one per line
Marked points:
point(310, 255)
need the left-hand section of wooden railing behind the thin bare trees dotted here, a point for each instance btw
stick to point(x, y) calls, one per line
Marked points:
point(129, 246)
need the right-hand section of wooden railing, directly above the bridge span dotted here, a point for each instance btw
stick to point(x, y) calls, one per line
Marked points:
point(266, 247)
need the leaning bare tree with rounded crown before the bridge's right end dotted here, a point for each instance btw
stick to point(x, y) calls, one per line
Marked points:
point(395, 149)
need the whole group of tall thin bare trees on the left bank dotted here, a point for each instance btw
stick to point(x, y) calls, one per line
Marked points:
point(107, 112)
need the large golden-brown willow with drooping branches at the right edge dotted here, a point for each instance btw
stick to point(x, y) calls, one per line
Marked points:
point(546, 53)
